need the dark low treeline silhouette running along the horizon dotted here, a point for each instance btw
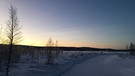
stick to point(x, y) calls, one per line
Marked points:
point(70, 48)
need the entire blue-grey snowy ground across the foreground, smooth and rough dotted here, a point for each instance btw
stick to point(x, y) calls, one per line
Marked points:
point(76, 63)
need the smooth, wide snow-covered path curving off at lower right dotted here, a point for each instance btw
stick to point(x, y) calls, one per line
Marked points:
point(104, 65)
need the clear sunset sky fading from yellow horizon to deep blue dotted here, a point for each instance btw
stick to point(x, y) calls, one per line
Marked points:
point(80, 23)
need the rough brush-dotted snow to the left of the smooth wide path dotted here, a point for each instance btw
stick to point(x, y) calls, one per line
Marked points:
point(28, 66)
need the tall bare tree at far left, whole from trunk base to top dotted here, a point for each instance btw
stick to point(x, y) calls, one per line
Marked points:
point(13, 33)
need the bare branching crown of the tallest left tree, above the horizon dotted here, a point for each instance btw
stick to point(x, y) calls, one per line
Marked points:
point(13, 28)
